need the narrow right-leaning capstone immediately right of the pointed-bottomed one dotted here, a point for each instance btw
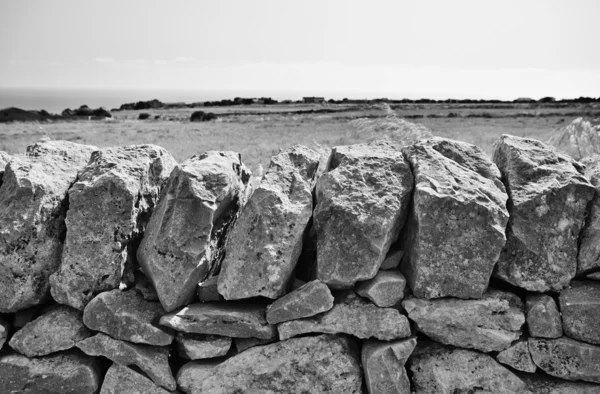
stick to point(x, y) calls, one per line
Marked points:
point(266, 241)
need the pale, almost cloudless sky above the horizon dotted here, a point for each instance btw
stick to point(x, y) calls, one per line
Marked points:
point(348, 48)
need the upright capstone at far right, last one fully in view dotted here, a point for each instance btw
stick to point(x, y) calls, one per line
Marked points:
point(548, 198)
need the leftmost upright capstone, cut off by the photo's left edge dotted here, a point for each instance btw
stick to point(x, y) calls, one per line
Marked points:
point(33, 205)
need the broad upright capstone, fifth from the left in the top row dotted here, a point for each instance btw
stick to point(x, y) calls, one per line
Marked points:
point(362, 203)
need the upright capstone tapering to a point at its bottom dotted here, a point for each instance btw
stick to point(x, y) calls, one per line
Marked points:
point(185, 237)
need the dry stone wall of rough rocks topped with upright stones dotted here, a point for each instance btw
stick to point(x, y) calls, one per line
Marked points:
point(428, 268)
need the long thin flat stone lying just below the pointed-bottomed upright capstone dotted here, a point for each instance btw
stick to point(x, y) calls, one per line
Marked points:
point(227, 319)
